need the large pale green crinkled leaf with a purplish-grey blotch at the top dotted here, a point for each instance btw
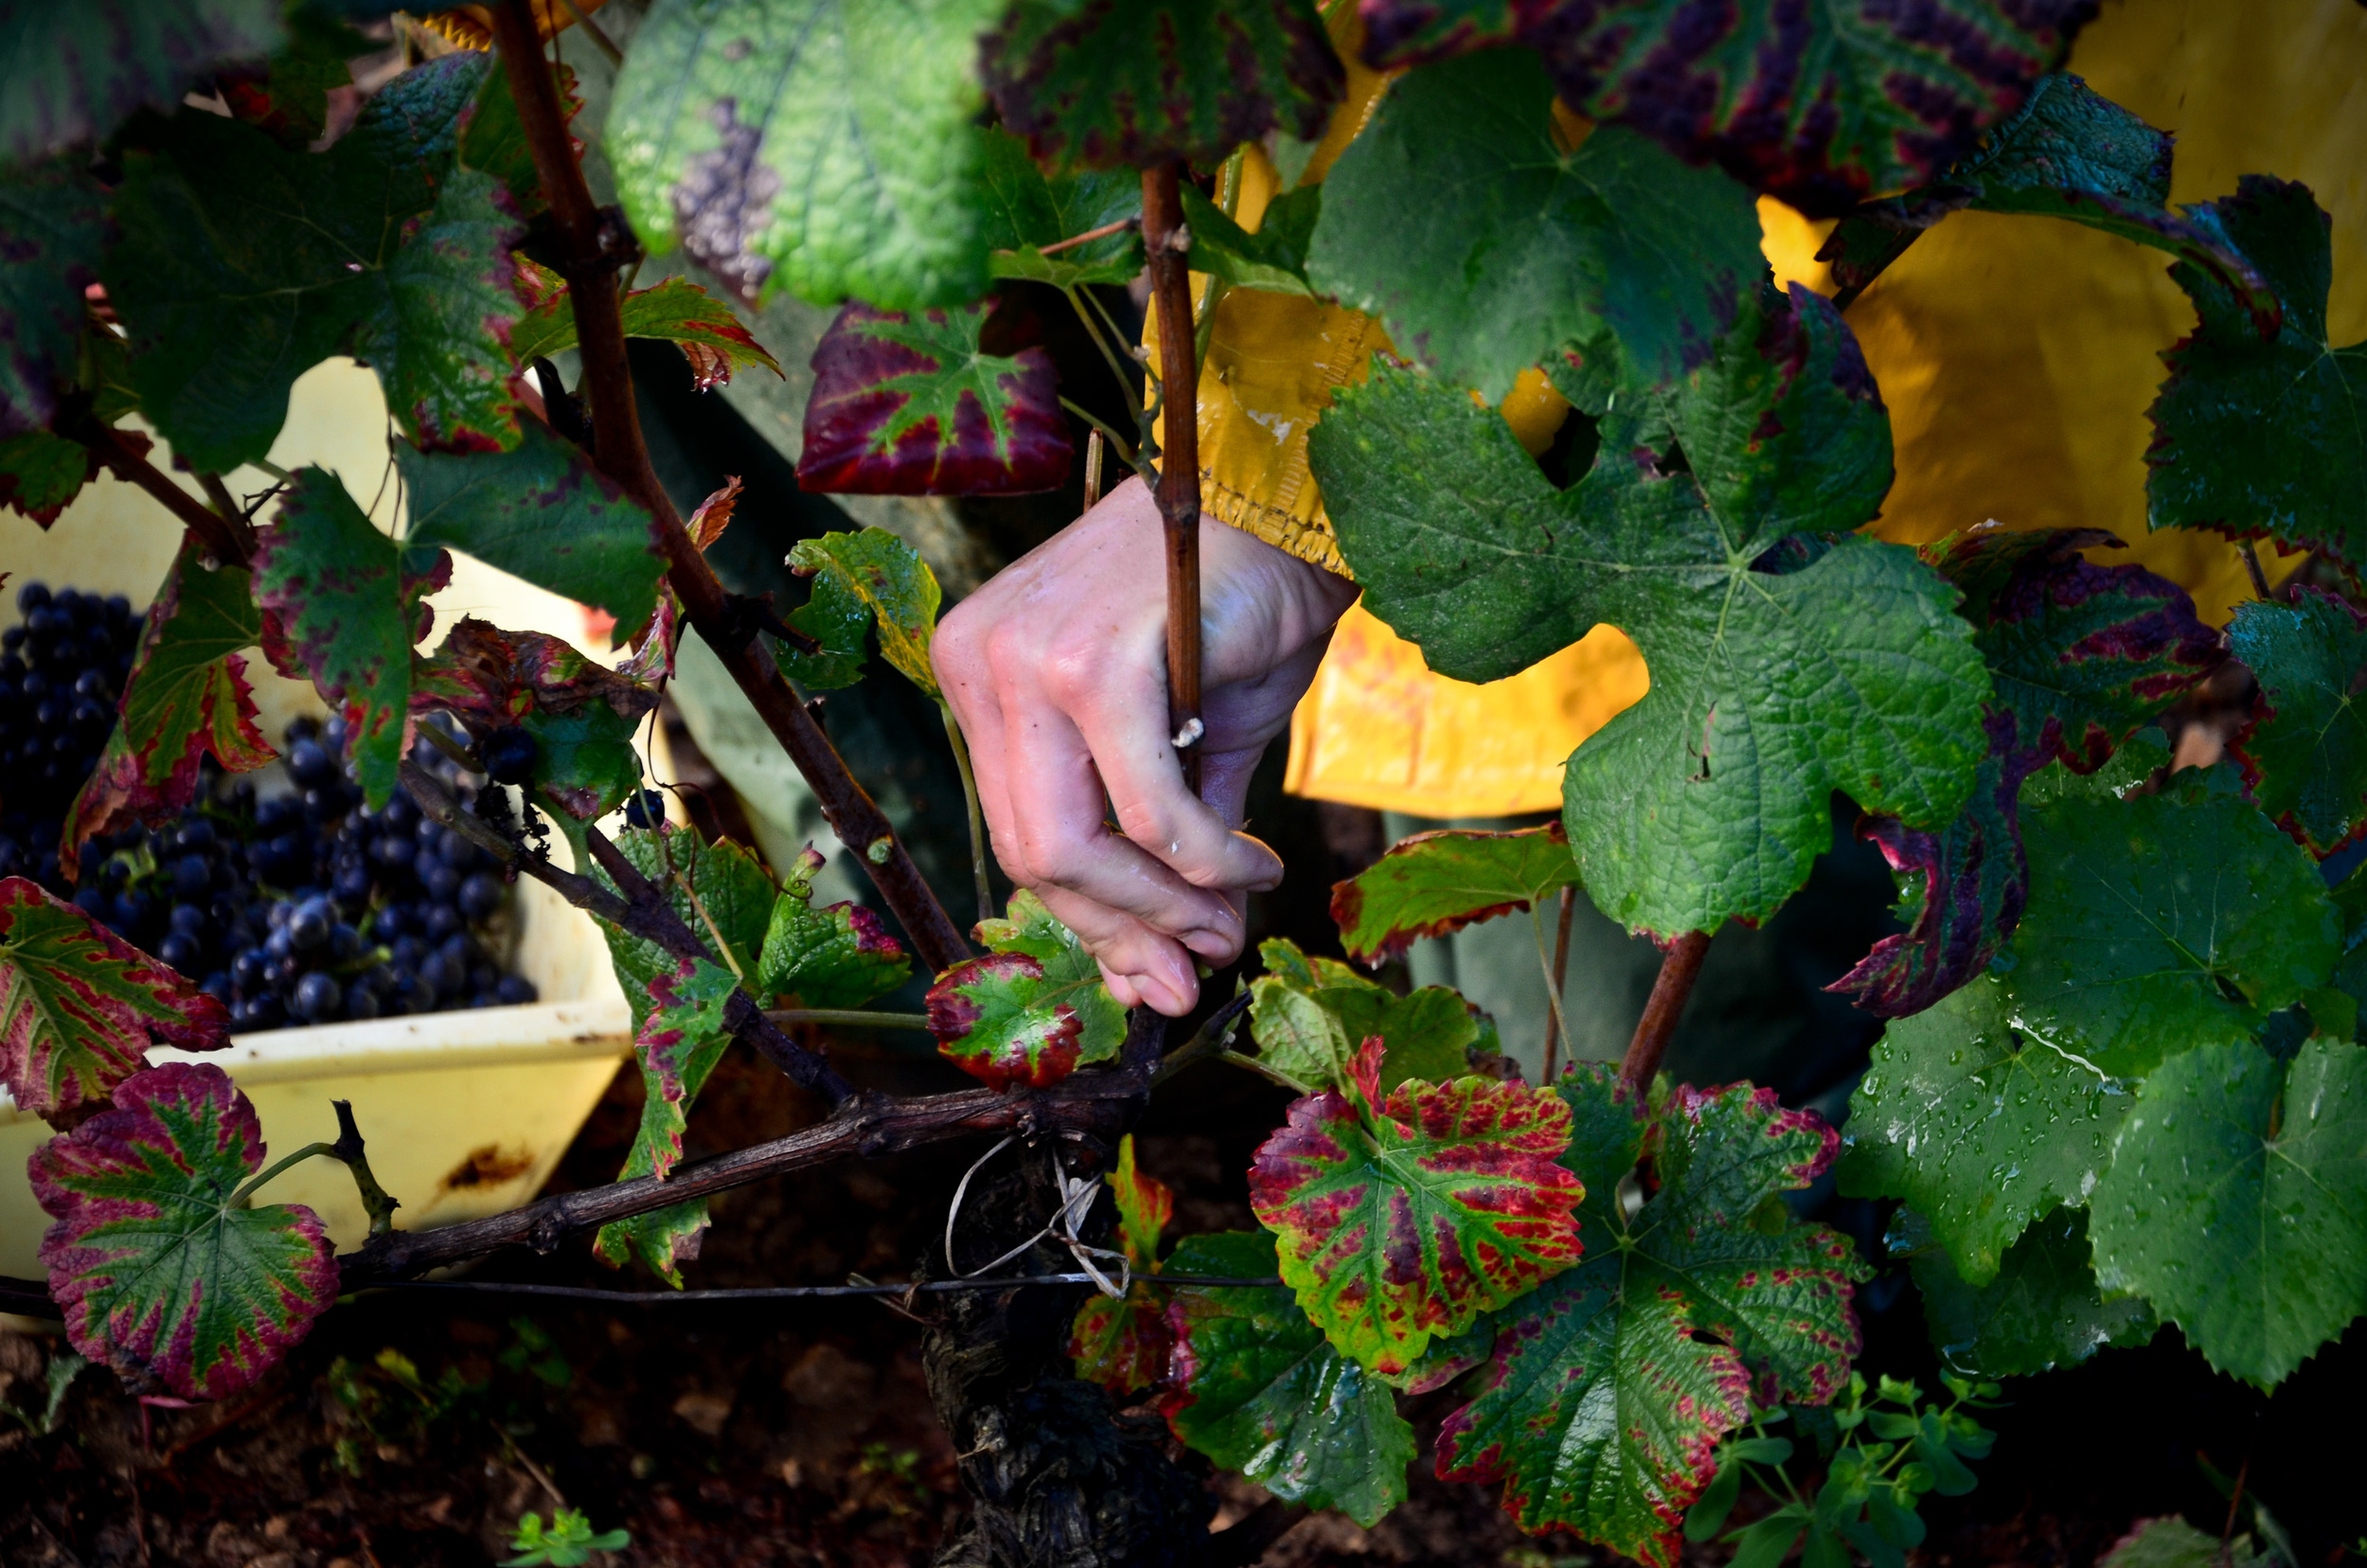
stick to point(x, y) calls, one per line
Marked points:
point(811, 146)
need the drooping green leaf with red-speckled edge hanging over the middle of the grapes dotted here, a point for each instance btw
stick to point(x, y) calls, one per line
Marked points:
point(335, 598)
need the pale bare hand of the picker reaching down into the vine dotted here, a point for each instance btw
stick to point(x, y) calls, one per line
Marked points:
point(1059, 676)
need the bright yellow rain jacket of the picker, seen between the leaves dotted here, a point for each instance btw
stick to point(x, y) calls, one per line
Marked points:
point(2018, 359)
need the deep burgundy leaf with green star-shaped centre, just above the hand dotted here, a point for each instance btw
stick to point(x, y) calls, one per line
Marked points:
point(915, 406)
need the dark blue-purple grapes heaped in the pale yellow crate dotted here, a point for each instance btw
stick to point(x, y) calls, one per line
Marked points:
point(297, 906)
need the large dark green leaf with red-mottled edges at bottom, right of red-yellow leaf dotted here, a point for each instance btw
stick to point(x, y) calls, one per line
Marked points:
point(1615, 1382)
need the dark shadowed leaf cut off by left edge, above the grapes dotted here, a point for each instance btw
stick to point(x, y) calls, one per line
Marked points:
point(56, 224)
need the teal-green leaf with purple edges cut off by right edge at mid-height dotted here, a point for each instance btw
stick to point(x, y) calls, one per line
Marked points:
point(2307, 757)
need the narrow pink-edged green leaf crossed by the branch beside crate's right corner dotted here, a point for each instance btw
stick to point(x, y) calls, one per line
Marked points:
point(681, 1039)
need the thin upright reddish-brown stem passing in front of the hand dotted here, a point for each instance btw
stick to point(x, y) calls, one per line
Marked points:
point(1180, 458)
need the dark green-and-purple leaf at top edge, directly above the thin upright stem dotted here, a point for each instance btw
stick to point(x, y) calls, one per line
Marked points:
point(1114, 84)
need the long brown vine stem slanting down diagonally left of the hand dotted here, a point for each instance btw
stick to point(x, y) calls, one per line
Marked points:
point(591, 252)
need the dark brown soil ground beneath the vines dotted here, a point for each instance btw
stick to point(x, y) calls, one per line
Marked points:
point(415, 1427)
